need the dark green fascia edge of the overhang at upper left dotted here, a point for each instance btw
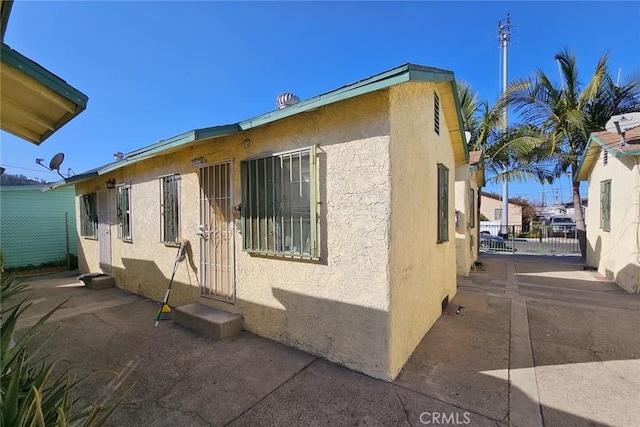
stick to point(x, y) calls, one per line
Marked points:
point(34, 70)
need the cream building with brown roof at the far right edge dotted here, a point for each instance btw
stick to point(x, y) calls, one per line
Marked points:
point(613, 172)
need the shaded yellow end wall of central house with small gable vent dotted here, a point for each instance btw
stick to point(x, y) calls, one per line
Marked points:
point(422, 270)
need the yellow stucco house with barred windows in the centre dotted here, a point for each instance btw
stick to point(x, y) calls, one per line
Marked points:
point(327, 224)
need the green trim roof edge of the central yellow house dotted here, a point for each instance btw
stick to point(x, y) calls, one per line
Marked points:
point(401, 74)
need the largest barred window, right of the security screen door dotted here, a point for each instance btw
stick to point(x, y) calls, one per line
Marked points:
point(279, 204)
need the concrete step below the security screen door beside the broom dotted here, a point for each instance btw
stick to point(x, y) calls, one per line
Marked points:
point(207, 321)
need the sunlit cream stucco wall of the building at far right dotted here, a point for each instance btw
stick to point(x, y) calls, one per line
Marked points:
point(616, 250)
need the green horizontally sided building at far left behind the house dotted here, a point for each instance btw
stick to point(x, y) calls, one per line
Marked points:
point(36, 227)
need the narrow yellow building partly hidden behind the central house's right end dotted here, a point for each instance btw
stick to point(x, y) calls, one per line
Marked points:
point(469, 178)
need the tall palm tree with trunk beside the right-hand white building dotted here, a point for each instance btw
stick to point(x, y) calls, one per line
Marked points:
point(569, 112)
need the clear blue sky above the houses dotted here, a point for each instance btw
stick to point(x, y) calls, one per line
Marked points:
point(153, 70)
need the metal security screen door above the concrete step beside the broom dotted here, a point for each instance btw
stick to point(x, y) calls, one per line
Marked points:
point(217, 243)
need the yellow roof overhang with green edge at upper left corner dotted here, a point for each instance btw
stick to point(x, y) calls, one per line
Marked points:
point(35, 103)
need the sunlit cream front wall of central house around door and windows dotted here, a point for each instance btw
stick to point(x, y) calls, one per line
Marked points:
point(336, 307)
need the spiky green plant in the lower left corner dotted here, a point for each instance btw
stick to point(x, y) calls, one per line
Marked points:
point(32, 393)
